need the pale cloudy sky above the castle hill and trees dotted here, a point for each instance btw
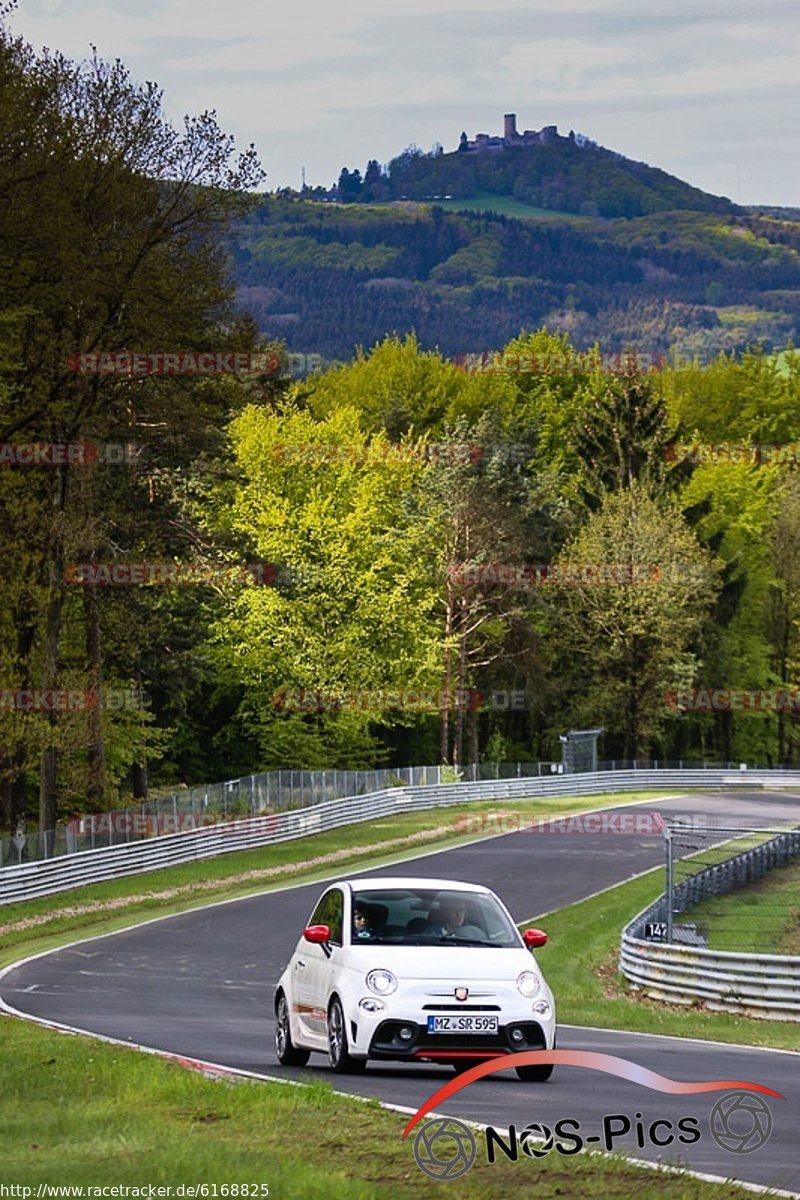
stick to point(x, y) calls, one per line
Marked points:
point(707, 91)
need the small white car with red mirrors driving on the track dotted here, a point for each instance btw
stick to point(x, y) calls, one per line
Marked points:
point(413, 970)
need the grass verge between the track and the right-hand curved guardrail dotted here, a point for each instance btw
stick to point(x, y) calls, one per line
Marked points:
point(581, 958)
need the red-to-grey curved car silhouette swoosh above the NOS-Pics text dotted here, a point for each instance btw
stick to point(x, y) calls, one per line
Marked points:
point(592, 1060)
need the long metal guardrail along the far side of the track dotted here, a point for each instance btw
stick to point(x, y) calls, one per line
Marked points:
point(45, 878)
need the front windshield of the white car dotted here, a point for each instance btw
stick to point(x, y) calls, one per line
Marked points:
point(430, 917)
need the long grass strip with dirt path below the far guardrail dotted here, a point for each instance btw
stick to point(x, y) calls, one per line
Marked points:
point(29, 927)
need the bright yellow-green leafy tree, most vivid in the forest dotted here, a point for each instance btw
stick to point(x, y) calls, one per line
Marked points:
point(327, 502)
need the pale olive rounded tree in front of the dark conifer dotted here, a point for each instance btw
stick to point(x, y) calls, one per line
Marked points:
point(631, 644)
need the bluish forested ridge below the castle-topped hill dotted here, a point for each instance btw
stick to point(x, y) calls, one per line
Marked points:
point(328, 278)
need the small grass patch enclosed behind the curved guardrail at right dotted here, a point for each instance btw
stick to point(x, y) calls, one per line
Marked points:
point(763, 917)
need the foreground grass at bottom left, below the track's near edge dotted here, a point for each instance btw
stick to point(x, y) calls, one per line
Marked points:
point(79, 1112)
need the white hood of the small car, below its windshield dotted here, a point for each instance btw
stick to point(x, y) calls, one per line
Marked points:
point(443, 963)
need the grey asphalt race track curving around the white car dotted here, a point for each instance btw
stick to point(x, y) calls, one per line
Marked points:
point(201, 985)
